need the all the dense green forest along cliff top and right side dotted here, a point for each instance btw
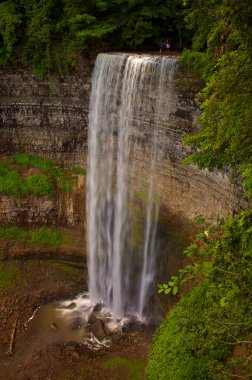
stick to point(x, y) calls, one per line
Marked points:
point(208, 334)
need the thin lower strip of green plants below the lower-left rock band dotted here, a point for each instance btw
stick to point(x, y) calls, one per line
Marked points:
point(43, 236)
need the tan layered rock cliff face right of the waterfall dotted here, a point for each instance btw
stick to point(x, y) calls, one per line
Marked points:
point(185, 190)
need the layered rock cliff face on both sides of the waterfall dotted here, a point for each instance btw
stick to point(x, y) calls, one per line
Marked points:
point(50, 118)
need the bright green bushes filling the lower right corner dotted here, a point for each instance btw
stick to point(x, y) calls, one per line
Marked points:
point(198, 336)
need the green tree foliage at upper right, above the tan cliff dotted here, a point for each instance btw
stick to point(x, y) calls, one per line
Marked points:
point(222, 55)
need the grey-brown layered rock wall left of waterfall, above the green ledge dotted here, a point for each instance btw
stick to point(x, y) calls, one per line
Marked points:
point(46, 118)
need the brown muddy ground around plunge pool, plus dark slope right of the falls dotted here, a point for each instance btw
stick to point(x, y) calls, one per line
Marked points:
point(29, 280)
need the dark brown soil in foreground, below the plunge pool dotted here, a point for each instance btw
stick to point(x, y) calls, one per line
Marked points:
point(67, 361)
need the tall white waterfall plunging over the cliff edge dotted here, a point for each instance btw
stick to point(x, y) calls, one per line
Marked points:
point(123, 88)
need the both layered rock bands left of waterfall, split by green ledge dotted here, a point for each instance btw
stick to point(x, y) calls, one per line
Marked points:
point(48, 119)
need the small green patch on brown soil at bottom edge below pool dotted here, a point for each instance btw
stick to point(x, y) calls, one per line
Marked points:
point(135, 368)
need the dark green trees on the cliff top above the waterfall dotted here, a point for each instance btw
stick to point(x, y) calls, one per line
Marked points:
point(50, 33)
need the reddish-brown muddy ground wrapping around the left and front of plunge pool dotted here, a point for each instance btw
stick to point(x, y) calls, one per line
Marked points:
point(25, 285)
